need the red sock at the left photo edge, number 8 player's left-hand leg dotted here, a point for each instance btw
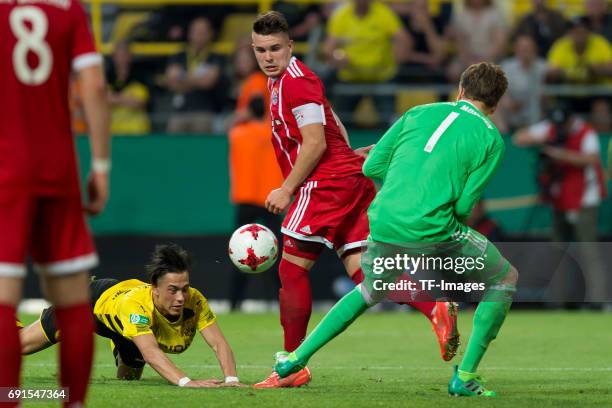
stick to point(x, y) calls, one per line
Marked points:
point(10, 348)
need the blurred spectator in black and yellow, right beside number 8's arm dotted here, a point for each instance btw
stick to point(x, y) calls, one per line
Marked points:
point(128, 97)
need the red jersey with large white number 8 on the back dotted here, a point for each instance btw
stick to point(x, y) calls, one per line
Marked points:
point(41, 42)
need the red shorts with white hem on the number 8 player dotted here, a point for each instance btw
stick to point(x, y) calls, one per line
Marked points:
point(50, 229)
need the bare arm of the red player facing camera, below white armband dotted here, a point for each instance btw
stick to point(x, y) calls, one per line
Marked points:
point(313, 148)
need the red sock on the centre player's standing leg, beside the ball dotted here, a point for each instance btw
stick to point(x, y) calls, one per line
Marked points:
point(295, 302)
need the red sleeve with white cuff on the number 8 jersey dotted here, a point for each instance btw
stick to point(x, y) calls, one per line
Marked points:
point(83, 50)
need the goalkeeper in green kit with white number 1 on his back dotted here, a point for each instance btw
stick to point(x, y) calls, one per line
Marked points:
point(435, 162)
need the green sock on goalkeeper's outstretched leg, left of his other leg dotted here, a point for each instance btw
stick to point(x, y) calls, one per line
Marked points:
point(344, 312)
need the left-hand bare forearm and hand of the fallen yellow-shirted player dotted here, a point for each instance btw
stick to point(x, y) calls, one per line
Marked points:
point(155, 357)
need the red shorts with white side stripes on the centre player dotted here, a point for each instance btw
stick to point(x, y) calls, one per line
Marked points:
point(332, 212)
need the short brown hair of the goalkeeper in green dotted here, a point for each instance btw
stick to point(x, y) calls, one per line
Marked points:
point(484, 82)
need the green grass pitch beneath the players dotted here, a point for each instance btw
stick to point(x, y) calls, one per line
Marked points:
point(540, 359)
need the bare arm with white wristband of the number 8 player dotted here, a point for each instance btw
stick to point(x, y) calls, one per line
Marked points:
point(94, 96)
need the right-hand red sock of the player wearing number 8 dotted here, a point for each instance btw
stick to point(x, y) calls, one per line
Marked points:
point(76, 327)
